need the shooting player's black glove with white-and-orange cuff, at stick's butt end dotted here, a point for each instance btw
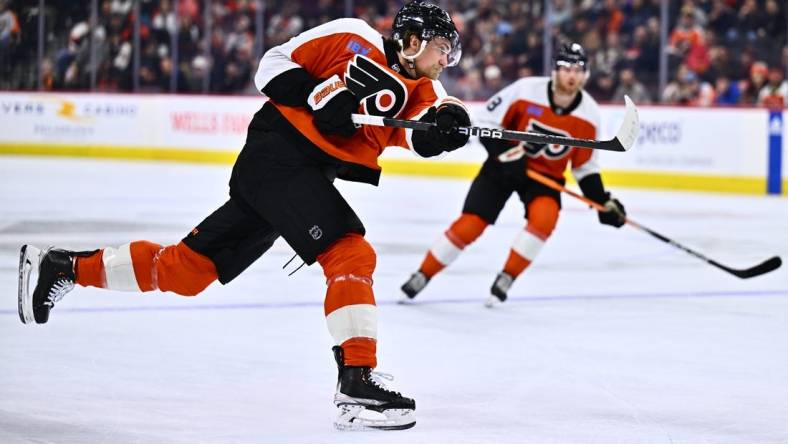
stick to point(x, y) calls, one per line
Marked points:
point(332, 104)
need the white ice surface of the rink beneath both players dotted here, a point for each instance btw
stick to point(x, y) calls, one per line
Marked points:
point(610, 337)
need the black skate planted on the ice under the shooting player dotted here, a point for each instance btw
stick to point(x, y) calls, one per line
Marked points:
point(364, 403)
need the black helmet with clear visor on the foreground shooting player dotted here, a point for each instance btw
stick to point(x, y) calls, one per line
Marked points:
point(427, 21)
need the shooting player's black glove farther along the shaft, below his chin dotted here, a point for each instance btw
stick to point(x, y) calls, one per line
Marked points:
point(443, 137)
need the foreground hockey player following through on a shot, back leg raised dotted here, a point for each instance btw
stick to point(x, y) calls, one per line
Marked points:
point(281, 185)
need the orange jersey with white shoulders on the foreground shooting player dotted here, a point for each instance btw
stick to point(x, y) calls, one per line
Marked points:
point(355, 52)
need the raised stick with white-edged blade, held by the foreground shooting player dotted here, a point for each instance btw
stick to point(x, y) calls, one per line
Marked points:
point(627, 133)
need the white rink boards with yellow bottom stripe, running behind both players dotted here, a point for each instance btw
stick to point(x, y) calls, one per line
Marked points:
point(724, 149)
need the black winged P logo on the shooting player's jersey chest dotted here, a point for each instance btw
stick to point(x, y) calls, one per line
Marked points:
point(380, 92)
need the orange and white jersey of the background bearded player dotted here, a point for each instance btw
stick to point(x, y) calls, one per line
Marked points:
point(525, 106)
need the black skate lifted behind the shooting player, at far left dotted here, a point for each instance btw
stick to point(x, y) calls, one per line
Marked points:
point(54, 271)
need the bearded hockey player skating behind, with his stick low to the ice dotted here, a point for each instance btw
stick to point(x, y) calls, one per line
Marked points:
point(556, 105)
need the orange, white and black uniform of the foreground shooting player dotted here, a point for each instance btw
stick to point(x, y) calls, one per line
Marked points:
point(282, 182)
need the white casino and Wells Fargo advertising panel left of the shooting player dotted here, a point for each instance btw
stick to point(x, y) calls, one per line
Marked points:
point(120, 120)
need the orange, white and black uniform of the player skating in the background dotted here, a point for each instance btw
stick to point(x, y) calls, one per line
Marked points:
point(525, 105)
